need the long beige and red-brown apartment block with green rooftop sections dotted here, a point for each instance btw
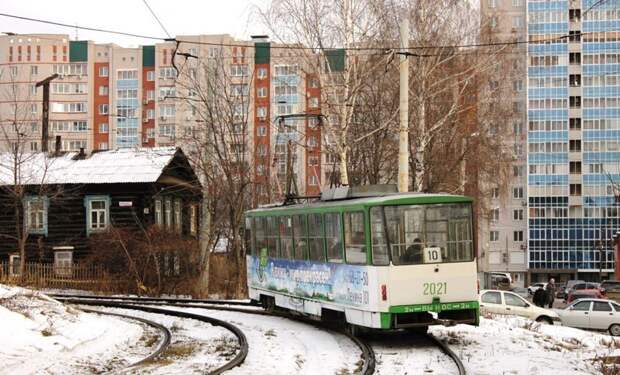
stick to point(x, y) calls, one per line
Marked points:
point(109, 97)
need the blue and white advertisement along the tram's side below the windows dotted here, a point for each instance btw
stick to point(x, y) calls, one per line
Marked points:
point(333, 282)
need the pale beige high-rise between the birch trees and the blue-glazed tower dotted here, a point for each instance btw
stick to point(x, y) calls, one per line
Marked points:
point(503, 233)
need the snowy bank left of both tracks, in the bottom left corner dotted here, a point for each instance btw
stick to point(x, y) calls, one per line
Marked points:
point(41, 335)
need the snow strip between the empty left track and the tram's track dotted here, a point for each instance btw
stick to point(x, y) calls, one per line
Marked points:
point(283, 346)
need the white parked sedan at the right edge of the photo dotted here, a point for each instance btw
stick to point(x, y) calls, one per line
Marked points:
point(592, 313)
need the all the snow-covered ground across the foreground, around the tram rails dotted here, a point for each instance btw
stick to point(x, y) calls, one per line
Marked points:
point(40, 335)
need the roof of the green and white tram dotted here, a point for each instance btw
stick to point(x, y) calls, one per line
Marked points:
point(388, 199)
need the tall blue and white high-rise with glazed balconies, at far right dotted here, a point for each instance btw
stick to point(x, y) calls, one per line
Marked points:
point(573, 136)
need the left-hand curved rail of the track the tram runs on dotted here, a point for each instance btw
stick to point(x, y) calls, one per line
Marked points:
point(368, 354)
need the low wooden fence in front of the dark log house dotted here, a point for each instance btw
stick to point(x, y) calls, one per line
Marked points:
point(44, 275)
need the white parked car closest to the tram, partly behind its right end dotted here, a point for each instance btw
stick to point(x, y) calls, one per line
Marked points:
point(509, 303)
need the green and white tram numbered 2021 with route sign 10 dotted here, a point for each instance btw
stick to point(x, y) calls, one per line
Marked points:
point(385, 261)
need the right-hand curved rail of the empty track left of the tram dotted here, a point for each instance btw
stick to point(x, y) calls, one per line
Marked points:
point(243, 342)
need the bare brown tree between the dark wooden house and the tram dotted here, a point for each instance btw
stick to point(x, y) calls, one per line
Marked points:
point(218, 147)
